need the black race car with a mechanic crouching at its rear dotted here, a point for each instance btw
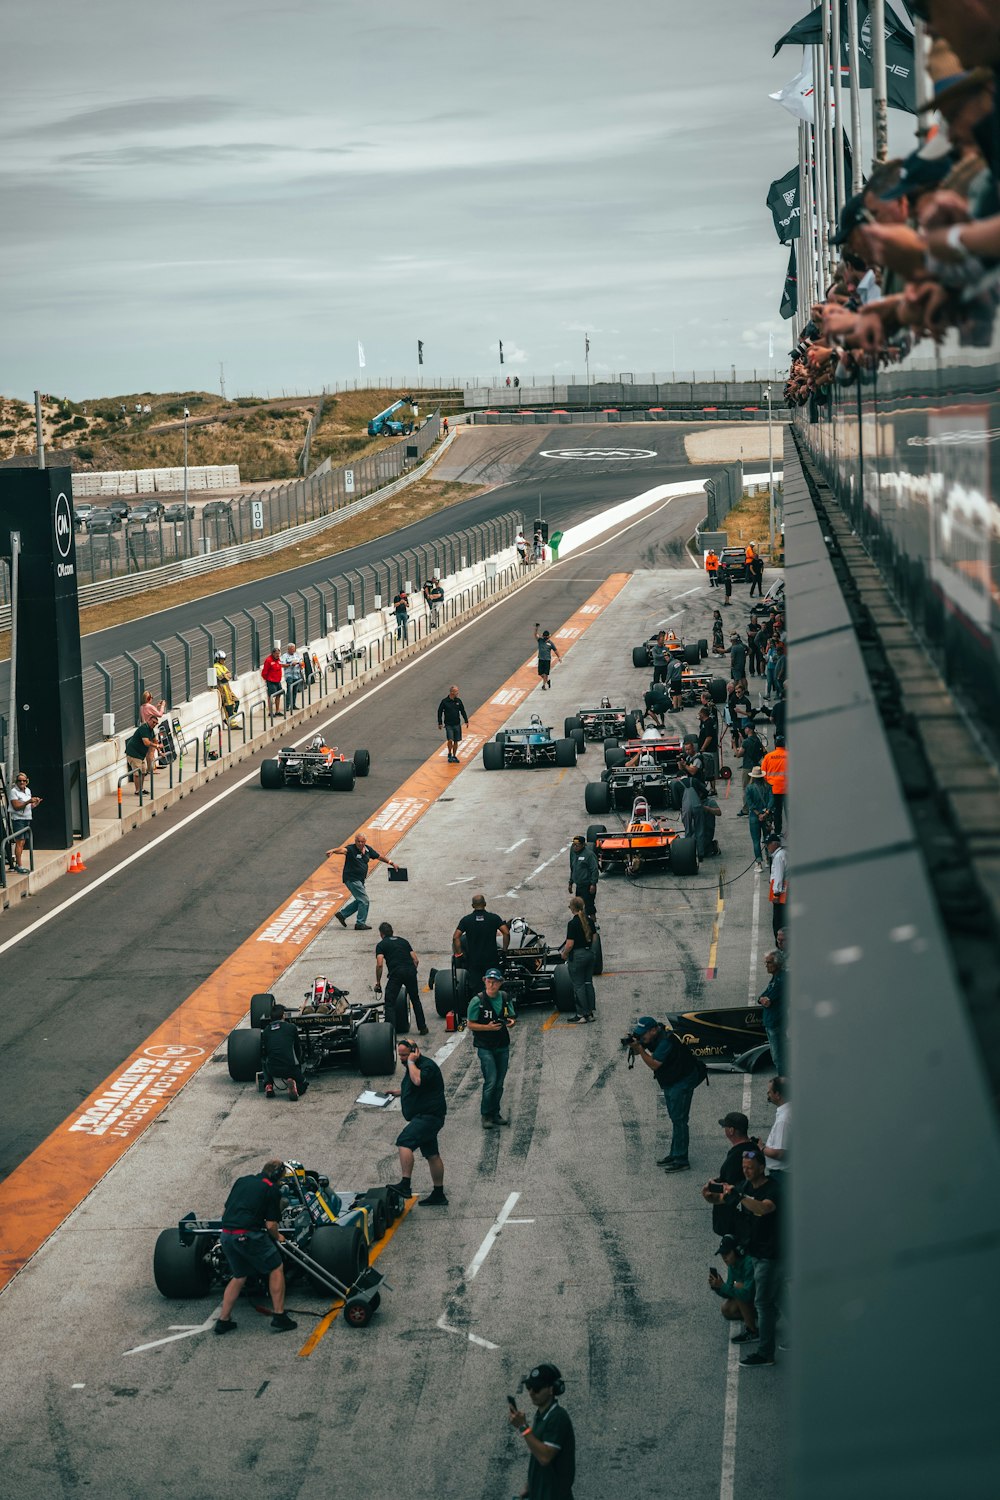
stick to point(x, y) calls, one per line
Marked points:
point(331, 1034)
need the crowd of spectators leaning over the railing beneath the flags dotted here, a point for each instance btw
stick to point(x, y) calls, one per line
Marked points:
point(920, 247)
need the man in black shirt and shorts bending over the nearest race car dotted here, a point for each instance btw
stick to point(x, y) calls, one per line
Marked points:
point(250, 1240)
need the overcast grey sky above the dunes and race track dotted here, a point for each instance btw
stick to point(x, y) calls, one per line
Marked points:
point(268, 184)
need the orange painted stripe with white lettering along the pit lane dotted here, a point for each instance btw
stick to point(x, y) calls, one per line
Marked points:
point(40, 1195)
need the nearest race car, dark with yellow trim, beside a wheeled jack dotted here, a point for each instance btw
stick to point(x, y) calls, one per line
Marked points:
point(326, 1249)
